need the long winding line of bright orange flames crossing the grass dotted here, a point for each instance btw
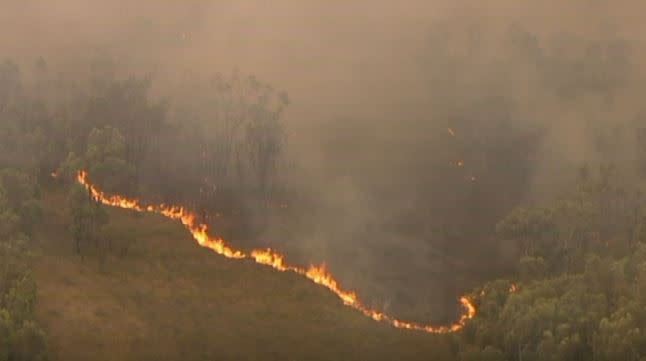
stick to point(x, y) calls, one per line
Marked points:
point(271, 258)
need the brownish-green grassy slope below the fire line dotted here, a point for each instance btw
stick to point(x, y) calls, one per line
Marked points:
point(165, 298)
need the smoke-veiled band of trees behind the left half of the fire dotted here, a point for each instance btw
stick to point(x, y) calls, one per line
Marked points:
point(219, 149)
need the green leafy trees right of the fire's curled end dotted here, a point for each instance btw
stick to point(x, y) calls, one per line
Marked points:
point(583, 301)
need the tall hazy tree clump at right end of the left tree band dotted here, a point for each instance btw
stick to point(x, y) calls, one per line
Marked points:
point(243, 133)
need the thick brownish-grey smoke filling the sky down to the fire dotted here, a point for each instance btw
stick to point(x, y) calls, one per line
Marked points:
point(374, 85)
